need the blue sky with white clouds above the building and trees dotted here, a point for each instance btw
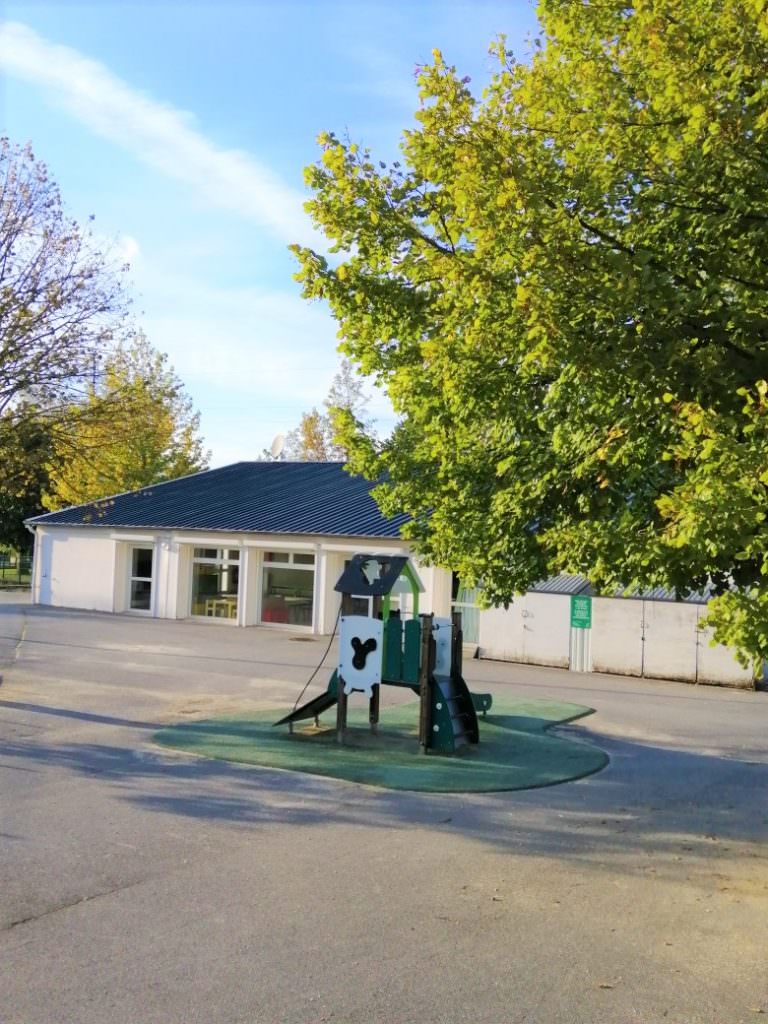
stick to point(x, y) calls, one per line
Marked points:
point(184, 130)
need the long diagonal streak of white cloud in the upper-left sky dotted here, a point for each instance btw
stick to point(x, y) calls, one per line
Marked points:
point(156, 134)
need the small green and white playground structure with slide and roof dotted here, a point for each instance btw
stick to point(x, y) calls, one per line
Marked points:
point(423, 654)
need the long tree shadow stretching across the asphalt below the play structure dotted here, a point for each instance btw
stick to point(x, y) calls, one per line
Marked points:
point(671, 806)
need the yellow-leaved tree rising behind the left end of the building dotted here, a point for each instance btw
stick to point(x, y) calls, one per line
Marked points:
point(137, 428)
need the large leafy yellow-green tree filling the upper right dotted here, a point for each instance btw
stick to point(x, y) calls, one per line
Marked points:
point(563, 287)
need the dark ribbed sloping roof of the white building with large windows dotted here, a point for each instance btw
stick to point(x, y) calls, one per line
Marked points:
point(254, 497)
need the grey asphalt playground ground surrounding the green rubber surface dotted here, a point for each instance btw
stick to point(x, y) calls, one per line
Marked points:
point(139, 885)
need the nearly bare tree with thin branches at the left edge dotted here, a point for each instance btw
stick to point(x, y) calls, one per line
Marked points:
point(62, 303)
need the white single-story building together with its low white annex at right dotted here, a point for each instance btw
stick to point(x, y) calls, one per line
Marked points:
point(264, 543)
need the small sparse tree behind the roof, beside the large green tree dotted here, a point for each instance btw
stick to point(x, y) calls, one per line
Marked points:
point(321, 437)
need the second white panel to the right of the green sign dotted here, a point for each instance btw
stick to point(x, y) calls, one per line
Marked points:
point(671, 641)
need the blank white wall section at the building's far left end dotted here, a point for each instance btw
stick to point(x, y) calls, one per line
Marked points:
point(78, 571)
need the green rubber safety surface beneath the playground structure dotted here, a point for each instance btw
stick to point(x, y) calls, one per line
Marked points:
point(516, 751)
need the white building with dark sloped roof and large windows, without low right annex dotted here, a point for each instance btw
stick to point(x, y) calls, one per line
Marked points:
point(257, 543)
